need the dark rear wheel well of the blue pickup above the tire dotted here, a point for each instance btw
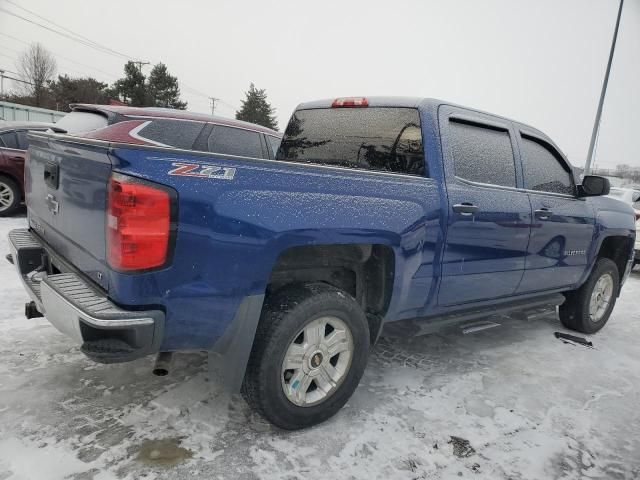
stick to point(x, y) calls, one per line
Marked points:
point(363, 270)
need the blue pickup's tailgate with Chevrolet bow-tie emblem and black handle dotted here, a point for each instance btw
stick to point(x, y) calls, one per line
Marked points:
point(66, 193)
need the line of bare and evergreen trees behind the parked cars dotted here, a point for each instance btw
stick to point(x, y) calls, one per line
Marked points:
point(40, 87)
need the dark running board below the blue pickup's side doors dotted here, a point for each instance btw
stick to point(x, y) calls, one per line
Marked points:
point(425, 325)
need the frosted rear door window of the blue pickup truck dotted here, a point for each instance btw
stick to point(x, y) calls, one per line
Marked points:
point(482, 154)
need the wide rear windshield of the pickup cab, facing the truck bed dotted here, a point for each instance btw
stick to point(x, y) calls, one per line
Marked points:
point(383, 139)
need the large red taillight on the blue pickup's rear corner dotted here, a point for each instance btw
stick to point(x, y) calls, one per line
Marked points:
point(138, 224)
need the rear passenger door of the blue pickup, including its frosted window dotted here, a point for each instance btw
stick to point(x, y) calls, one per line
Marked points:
point(489, 219)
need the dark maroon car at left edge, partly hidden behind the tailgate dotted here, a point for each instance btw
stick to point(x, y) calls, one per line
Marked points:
point(13, 143)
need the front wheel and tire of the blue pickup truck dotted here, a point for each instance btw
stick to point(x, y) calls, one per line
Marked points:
point(576, 312)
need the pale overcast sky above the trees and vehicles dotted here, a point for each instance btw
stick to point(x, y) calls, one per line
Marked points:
point(541, 62)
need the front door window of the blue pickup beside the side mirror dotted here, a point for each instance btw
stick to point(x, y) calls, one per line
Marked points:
point(543, 170)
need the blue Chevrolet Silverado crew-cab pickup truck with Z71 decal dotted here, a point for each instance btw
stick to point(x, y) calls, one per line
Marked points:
point(376, 216)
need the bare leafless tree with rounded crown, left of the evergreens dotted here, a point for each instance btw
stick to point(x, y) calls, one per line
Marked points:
point(37, 67)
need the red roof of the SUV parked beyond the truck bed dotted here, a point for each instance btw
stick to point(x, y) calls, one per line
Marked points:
point(158, 112)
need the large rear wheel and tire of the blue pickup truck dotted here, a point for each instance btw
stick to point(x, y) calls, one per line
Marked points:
point(271, 390)
